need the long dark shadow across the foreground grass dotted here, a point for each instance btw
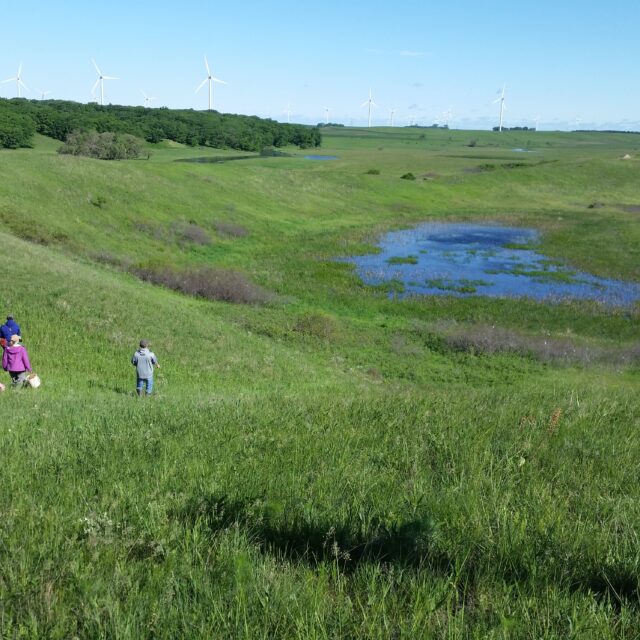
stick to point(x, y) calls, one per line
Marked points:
point(407, 544)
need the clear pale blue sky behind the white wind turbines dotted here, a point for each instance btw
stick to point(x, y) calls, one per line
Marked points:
point(567, 63)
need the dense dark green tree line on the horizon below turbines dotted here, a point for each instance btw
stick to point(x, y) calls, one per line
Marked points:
point(20, 119)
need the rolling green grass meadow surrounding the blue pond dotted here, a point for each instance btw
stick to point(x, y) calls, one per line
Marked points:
point(319, 460)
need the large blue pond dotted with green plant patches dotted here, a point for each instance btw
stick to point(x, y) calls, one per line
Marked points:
point(474, 259)
